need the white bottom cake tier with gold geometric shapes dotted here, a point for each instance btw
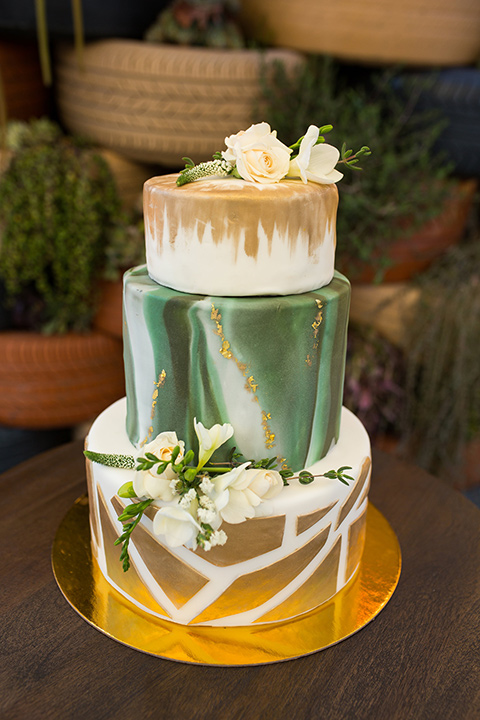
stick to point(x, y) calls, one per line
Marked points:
point(301, 548)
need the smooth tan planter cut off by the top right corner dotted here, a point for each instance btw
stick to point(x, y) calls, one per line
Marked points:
point(418, 32)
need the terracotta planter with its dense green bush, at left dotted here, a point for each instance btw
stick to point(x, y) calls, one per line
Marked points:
point(58, 205)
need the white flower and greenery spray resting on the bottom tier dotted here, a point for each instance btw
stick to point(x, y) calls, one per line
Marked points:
point(193, 498)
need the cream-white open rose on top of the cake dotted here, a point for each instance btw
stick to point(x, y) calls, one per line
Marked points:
point(258, 154)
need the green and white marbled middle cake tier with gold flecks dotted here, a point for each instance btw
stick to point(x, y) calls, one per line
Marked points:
point(271, 366)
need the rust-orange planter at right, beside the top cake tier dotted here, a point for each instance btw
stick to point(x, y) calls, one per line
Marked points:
point(410, 255)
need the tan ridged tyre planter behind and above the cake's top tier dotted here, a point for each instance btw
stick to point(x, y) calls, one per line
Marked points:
point(159, 103)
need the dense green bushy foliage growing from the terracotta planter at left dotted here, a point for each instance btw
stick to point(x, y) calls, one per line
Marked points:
point(59, 209)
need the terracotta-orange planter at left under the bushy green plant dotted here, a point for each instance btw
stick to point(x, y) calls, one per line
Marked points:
point(57, 381)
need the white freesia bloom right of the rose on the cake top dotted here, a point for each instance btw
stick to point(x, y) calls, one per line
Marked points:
point(315, 162)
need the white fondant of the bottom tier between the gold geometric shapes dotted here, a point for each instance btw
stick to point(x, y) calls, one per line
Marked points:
point(108, 435)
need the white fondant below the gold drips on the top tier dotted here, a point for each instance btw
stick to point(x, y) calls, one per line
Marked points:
point(185, 257)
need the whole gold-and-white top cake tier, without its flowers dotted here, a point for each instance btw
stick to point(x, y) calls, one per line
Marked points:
point(229, 237)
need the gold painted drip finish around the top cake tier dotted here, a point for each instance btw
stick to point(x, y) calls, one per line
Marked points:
point(241, 213)
